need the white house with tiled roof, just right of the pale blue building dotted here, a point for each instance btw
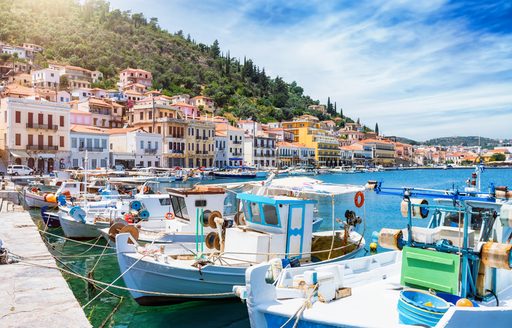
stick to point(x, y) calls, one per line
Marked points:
point(133, 147)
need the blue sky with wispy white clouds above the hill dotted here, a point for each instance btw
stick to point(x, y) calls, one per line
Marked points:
point(420, 69)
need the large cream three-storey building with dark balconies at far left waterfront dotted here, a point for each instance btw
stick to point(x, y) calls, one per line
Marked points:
point(35, 133)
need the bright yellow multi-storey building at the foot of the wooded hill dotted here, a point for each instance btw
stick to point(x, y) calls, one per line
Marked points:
point(313, 134)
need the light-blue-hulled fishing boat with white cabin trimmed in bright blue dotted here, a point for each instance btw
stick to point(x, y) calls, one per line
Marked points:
point(274, 224)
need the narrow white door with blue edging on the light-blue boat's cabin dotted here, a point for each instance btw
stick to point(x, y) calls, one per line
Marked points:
point(295, 231)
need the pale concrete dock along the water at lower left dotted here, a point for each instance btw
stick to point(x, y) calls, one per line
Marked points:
point(30, 295)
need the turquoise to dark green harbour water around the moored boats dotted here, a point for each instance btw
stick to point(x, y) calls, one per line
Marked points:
point(379, 211)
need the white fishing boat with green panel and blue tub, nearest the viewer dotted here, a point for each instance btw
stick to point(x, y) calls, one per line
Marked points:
point(454, 273)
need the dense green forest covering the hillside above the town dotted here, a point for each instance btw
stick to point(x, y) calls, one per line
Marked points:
point(89, 34)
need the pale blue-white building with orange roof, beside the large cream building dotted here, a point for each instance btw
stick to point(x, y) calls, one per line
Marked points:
point(94, 141)
